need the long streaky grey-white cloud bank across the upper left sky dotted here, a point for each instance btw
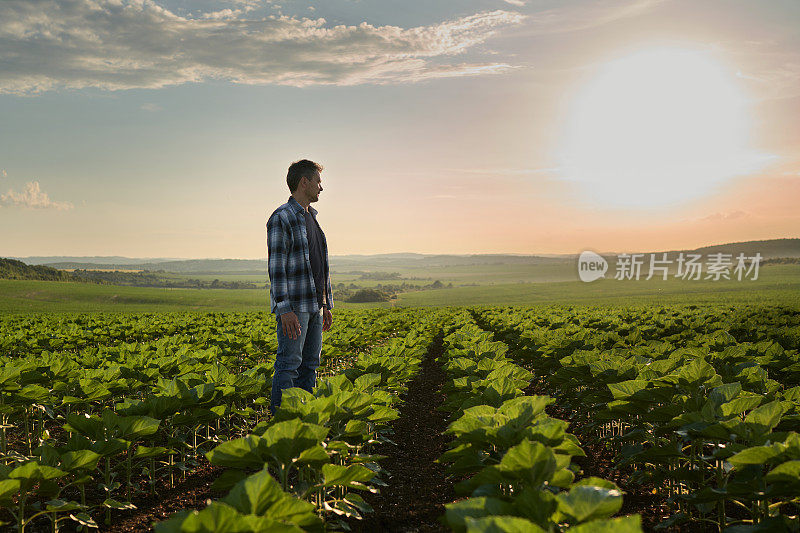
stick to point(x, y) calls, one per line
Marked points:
point(126, 44)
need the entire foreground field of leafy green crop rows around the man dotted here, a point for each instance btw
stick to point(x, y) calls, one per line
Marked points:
point(545, 418)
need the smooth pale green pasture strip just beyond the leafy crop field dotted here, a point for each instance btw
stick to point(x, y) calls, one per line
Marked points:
point(777, 284)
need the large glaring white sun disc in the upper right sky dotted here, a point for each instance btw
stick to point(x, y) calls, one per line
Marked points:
point(656, 128)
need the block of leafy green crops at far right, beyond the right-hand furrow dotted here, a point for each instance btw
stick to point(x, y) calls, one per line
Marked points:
point(702, 406)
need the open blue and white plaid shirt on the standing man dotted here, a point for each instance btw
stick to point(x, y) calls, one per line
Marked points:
point(291, 280)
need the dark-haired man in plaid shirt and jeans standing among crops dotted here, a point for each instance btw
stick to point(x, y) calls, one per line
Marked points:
point(300, 283)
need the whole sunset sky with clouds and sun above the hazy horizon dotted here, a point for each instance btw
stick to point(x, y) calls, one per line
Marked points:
point(165, 128)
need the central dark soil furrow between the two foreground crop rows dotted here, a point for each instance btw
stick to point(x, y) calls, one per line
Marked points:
point(418, 487)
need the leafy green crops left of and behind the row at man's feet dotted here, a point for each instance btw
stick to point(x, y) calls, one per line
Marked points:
point(99, 409)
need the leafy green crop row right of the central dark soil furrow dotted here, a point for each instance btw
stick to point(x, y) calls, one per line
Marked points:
point(516, 460)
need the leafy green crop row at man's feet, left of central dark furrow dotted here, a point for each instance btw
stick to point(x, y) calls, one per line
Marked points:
point(304, 468)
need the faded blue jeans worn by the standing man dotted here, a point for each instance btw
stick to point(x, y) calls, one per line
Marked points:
point(297, 359)
